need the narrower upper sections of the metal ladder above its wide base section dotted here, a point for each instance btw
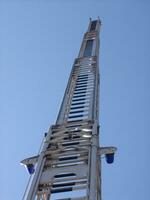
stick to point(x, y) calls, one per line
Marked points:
point(83, 85)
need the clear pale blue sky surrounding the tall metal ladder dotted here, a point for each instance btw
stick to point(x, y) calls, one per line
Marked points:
point(39, 40)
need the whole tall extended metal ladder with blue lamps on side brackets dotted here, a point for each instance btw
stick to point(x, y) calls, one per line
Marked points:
point(69, 166)
